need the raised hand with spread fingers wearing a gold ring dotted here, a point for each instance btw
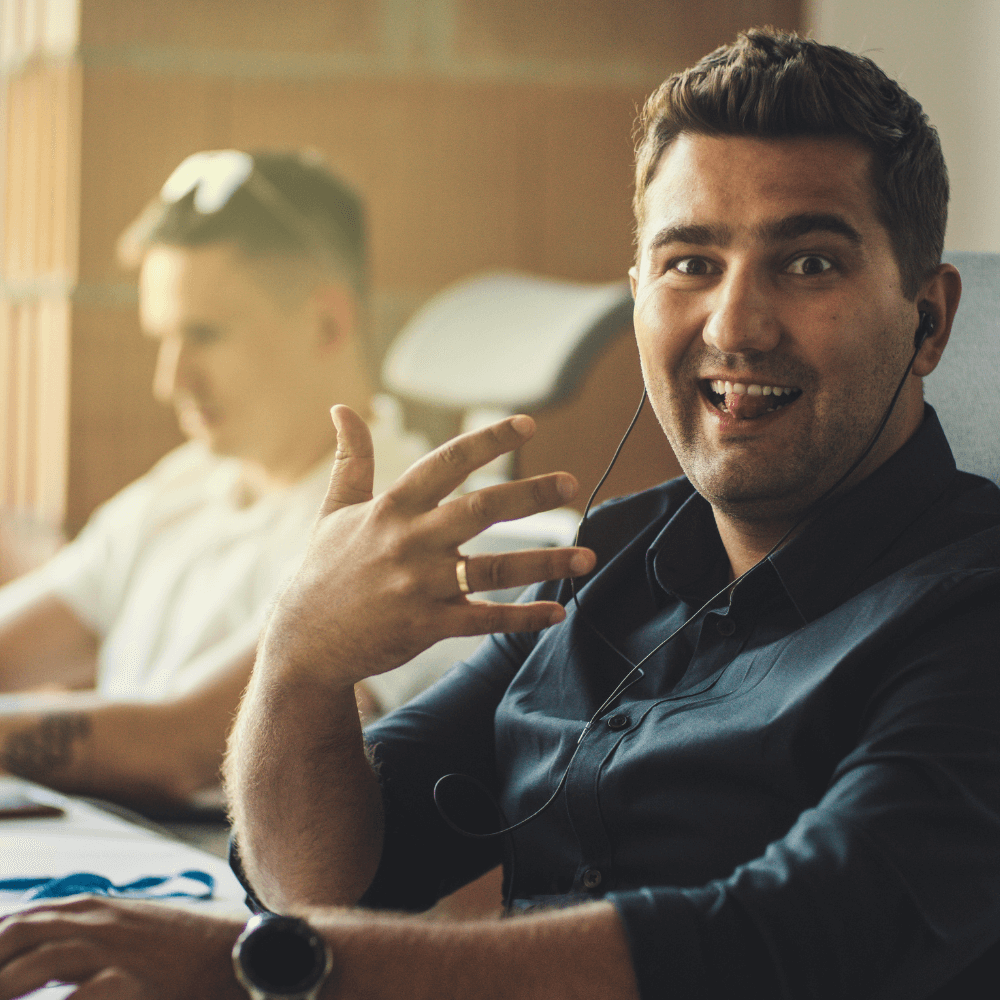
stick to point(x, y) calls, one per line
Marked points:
point(378, 583)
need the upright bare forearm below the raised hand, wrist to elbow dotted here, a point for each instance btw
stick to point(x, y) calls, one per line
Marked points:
point(306, 804)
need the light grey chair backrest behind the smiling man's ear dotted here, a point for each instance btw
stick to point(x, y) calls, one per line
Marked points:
point(961, 387)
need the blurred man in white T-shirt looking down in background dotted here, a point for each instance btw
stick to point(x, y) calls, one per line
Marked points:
point(253, 282)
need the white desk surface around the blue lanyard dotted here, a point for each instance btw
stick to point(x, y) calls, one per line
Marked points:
point(87, 839)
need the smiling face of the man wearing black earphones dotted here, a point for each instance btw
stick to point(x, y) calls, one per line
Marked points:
point(771, 322)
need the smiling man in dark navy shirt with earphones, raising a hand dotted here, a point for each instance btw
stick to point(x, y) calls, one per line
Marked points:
point(758, 756)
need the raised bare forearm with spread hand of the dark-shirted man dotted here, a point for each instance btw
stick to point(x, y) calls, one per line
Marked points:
point(377, 586)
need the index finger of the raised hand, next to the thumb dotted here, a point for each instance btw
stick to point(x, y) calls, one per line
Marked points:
point(436, 475)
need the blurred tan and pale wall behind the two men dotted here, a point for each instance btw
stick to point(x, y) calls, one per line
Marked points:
point(483, 134)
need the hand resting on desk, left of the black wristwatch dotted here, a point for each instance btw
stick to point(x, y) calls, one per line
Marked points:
point(119, 950)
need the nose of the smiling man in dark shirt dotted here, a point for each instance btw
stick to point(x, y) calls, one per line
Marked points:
point(742, 316)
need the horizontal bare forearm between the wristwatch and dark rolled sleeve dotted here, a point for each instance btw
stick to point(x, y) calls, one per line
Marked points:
point(576, 953)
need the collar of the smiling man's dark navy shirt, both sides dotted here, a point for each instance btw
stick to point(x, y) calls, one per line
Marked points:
point(687, 559)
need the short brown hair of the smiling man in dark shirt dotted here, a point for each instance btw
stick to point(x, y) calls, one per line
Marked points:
point(772, 84)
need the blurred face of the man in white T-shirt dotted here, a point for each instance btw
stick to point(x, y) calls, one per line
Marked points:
point(232, 356)
